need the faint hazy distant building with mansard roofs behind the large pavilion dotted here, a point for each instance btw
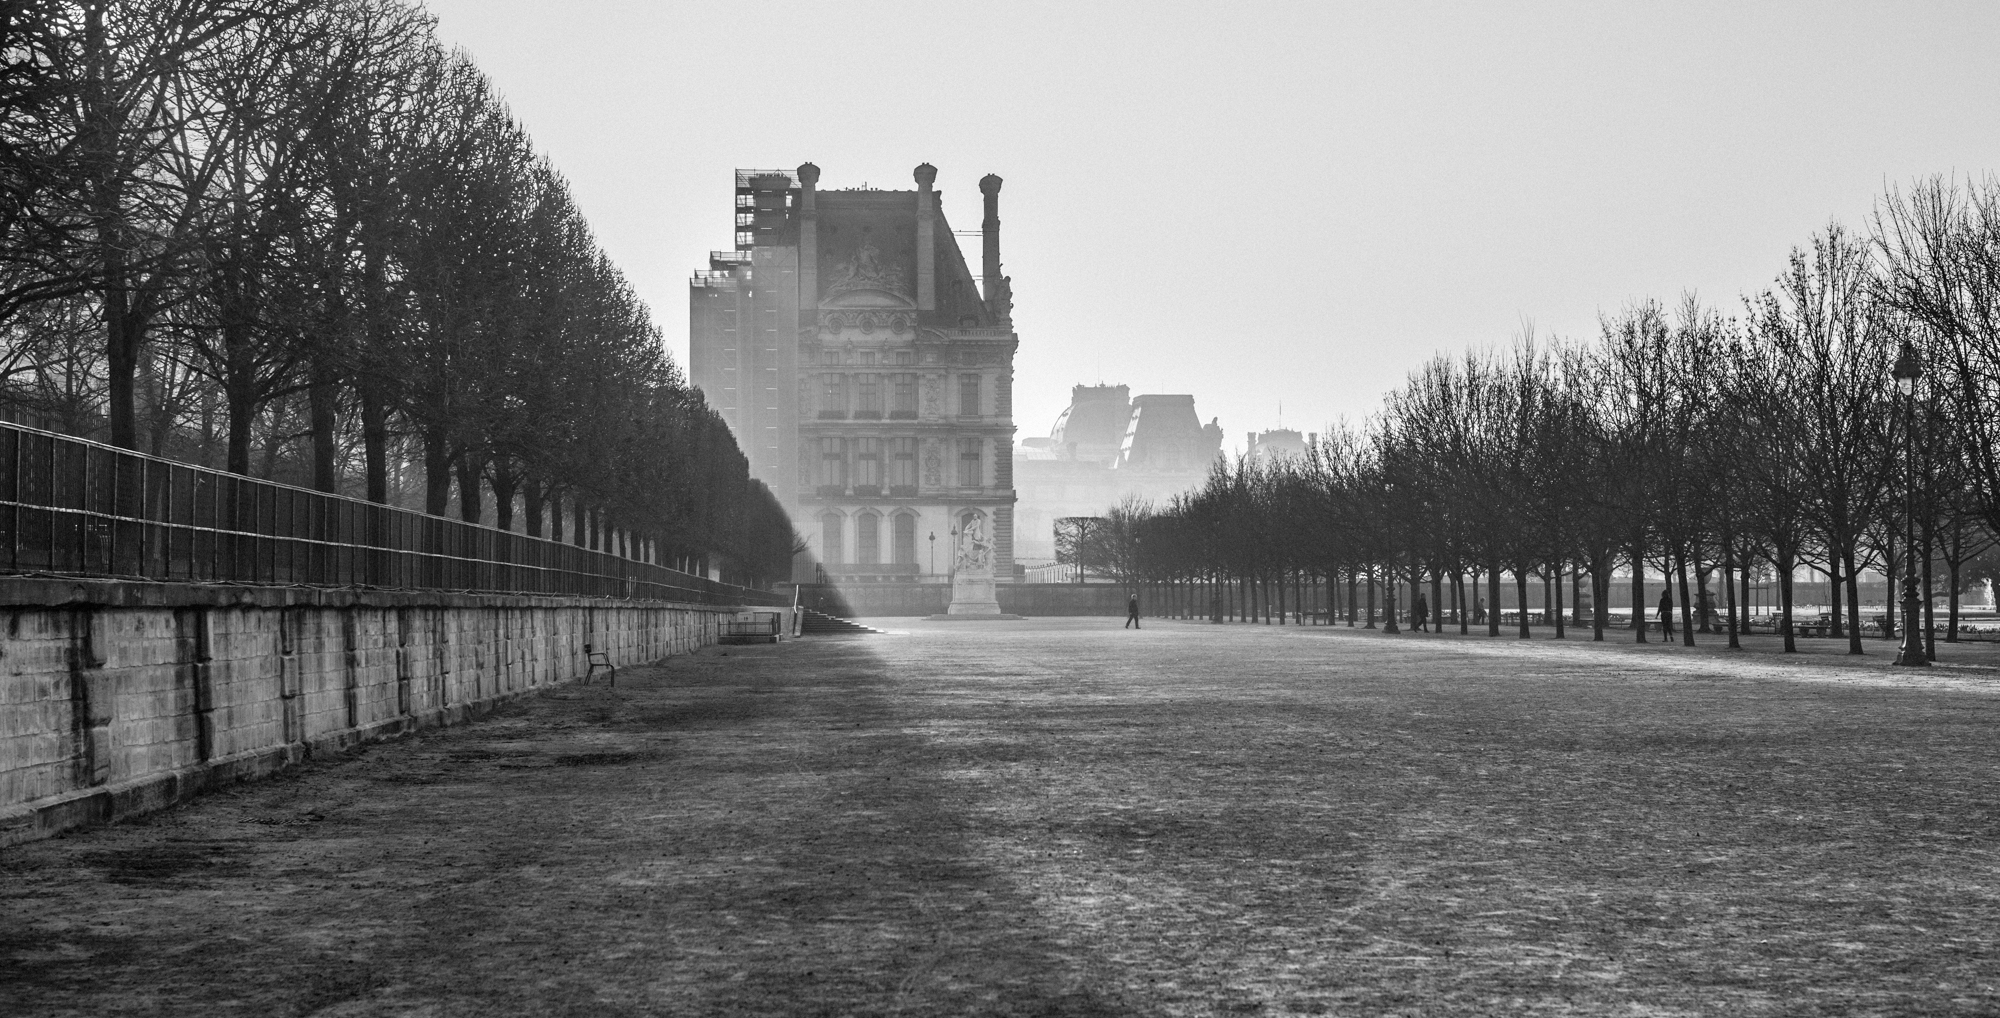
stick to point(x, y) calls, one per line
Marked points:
point(1107, 447)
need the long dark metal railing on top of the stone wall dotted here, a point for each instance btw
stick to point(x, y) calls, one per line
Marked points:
point(83, 509)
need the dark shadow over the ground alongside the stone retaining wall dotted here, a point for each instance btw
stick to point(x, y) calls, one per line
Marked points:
point(731, 833)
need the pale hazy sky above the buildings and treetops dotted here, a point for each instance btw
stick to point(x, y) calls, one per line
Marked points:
point(1265, 203)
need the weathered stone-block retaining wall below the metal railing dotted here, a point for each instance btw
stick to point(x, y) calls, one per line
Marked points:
point(127, 697)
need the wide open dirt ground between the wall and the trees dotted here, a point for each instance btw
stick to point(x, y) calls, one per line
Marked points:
point(1063, 819)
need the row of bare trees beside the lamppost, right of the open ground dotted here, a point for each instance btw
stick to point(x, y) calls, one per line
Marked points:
point(1681, 445)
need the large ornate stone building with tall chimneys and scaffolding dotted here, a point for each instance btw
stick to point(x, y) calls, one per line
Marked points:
point(865, 371)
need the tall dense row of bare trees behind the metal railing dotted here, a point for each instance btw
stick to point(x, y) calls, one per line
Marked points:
point(301, 241)
